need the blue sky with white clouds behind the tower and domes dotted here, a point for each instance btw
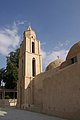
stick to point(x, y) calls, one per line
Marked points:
point(56, 23)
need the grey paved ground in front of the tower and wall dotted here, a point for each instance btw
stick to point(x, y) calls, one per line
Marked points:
point(7, 113)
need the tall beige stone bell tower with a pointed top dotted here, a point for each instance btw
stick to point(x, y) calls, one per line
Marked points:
point(30, 64)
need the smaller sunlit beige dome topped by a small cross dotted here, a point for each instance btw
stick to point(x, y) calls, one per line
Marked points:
point(54, 64)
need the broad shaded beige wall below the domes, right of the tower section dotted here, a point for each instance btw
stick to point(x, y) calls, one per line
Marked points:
point(61, 92)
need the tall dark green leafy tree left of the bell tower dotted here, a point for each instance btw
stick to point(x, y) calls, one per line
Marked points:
point(12, 69)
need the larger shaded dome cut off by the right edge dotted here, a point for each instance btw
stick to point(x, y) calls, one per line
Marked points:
point(75, 49)
